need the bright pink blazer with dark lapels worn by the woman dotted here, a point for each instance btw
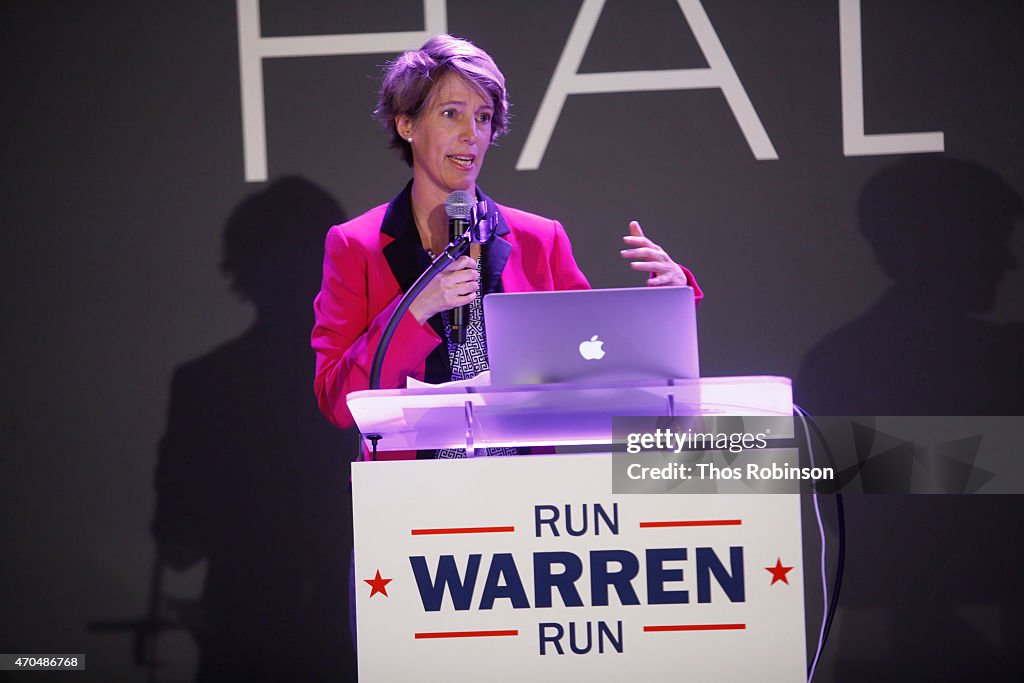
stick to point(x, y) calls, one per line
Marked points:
point(371, 261)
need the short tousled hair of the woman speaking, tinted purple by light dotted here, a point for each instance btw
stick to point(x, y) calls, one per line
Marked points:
point(410, 79)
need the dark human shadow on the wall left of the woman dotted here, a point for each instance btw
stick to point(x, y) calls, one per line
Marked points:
point(250, 476)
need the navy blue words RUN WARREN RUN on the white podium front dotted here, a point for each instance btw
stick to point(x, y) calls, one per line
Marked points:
point(565, 573)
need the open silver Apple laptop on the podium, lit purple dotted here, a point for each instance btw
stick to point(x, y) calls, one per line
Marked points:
point(648, 333)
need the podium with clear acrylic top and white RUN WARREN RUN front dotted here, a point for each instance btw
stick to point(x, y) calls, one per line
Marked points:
point(532, 569)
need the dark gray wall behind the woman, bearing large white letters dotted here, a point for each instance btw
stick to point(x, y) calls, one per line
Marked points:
point(122, 160)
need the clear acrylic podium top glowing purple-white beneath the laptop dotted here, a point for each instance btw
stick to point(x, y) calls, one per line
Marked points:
point(551, 414)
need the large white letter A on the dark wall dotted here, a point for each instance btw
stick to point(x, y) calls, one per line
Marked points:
point(568, 81)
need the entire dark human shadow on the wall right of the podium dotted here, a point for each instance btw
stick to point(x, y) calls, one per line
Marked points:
point(931, 589)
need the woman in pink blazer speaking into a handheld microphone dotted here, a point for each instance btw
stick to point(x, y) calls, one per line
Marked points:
point(445, 105)
